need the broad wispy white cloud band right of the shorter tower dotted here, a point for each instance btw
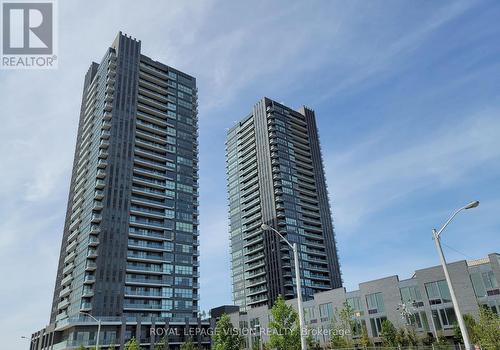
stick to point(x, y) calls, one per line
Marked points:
point(366, 180)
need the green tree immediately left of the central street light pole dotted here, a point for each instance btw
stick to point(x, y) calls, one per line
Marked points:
point(285, 329)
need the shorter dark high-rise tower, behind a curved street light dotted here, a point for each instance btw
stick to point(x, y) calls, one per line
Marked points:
point(275, 176)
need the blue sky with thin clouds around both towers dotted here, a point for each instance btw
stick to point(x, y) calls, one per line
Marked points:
point(406, 96)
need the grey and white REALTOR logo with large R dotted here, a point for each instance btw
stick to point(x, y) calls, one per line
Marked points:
point(28, 35)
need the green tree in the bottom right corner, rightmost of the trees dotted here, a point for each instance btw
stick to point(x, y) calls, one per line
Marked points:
point(487, 329)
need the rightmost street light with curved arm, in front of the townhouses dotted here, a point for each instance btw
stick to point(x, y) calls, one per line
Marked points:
point(437, 240)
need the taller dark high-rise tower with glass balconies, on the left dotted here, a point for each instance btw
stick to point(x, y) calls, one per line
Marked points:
point(130, 242)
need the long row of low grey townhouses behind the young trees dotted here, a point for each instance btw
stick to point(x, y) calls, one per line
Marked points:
point(425, 295)
